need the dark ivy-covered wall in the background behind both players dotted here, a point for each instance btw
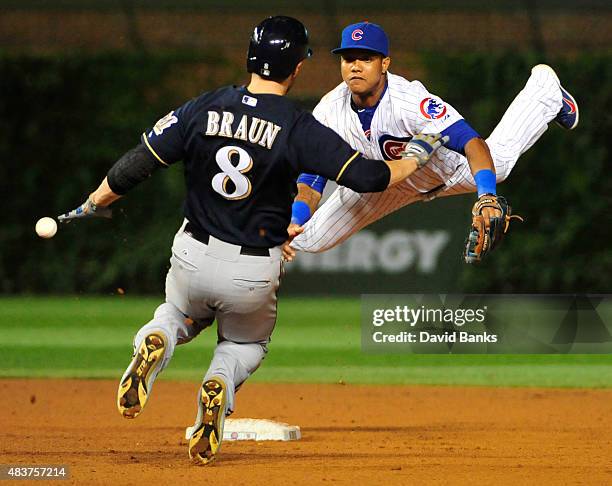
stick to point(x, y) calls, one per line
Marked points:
point(80, 81)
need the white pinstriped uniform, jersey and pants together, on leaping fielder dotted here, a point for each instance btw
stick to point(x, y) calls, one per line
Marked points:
point(399, 114)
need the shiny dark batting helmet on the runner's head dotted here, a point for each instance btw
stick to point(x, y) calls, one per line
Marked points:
point(277, 45)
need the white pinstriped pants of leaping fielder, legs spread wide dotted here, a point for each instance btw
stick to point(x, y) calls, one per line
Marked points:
point(346, 212)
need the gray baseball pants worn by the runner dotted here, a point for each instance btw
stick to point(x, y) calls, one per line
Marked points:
point(215, 281)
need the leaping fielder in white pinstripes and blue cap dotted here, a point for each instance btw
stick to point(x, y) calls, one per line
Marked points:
point(378, 112)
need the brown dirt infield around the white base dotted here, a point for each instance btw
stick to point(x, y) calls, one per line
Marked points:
point(351, 434)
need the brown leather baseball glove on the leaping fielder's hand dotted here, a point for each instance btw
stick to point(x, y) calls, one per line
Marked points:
point(487, 231)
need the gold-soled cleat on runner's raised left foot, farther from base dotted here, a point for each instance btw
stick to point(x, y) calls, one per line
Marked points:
point(137, 380)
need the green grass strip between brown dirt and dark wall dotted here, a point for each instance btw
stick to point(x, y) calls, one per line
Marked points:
point(316, 340)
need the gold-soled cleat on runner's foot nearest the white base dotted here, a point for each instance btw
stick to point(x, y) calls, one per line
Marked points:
point(207, 434)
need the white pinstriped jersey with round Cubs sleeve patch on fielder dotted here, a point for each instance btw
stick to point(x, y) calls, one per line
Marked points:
point(405, 109)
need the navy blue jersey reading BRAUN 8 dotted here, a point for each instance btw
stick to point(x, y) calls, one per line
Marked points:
point(242, 153)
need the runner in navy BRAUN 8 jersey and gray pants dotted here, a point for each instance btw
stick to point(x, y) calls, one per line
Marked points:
point(242, 148)
